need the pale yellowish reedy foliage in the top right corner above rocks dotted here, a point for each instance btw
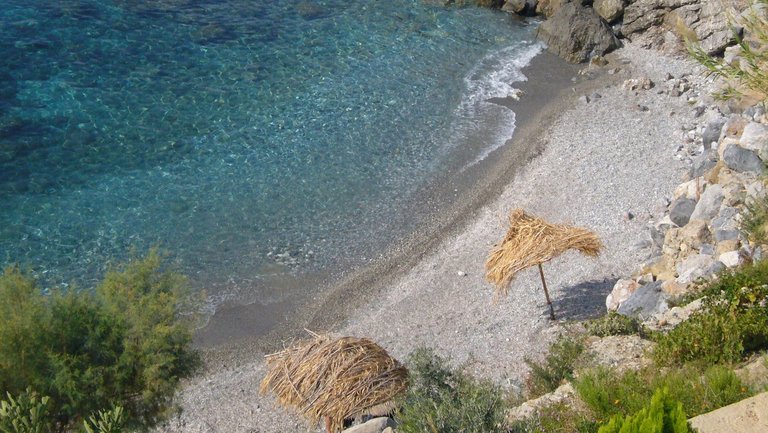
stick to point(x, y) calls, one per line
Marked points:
point(752, 72)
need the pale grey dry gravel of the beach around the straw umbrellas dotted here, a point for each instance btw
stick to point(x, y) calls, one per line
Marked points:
point(602, 161)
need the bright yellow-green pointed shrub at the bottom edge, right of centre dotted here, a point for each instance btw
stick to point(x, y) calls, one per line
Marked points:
point(663, 415)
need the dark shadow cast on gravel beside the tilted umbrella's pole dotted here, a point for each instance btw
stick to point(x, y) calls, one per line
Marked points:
point(584, 300)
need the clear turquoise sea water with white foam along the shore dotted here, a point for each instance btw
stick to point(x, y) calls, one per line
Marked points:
point(248, 138)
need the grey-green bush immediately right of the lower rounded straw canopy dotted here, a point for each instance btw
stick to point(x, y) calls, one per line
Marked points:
point(444, 400)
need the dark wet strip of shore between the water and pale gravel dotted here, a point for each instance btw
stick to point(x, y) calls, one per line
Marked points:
point(227, 337)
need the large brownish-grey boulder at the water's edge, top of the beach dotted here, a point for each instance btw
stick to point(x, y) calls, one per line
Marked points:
point(577, 33)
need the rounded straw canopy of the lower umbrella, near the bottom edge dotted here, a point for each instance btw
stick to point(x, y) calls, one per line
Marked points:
point(334, 378)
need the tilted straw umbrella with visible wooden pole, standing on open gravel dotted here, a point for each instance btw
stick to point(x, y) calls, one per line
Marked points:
point(533, 241)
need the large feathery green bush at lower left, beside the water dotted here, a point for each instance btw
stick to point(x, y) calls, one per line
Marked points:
point(122, 344)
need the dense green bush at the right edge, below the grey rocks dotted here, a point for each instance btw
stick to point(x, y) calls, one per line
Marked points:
point(732, 322)
